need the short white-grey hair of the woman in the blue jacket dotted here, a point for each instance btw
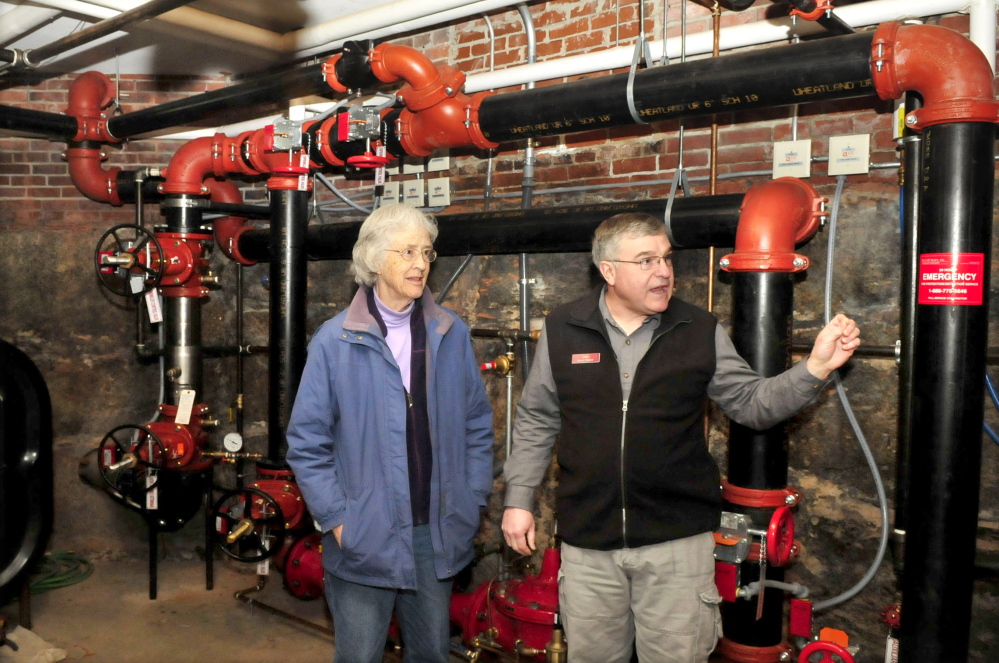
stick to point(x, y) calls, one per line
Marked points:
point(377, 233)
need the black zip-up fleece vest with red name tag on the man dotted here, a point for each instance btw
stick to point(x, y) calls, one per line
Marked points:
point(642, 476)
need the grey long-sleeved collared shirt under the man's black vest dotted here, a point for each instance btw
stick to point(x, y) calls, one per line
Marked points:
point(742, 394)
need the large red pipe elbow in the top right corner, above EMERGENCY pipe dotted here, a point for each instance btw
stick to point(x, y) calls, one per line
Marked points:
point(947, 69)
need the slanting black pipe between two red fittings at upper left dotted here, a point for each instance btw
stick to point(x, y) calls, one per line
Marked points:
point(265, 90)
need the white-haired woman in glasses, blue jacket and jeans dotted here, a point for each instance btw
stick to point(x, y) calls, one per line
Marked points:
point(391, 442)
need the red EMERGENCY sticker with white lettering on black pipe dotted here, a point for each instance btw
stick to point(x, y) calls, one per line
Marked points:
point(951, 278)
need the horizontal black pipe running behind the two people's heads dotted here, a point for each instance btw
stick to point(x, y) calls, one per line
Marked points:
point(694, 222)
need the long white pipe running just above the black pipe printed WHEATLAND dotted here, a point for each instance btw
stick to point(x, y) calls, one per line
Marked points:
point(748, 34)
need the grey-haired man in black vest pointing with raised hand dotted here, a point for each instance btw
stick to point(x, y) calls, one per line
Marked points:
point(620, 377)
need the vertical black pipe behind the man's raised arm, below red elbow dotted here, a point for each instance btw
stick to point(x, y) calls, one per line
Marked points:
point(761, 331)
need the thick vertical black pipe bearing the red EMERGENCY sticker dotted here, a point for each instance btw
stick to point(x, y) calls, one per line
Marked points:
point(950, 345)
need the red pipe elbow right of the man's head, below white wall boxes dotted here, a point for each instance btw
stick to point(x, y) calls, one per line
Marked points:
point(774, 217)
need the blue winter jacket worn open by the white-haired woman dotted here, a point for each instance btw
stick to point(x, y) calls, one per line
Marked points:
point(347, 446)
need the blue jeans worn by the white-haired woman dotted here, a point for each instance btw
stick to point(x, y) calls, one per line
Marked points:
point(361, 614)
